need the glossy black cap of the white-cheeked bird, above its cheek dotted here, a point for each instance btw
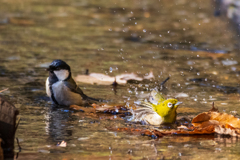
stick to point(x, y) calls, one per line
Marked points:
point(57, 65)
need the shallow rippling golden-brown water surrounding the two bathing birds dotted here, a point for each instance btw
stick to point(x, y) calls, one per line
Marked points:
point(180, 39)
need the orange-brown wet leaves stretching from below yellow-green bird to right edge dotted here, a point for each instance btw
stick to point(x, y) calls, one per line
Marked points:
point(206, 123)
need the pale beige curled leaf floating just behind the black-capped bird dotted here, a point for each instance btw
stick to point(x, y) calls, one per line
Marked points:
point(102, 79)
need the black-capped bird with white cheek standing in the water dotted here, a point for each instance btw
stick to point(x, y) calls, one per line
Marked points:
point(61, 87)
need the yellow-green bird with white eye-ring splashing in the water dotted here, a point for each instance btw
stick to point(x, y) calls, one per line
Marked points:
point(156, 110)
